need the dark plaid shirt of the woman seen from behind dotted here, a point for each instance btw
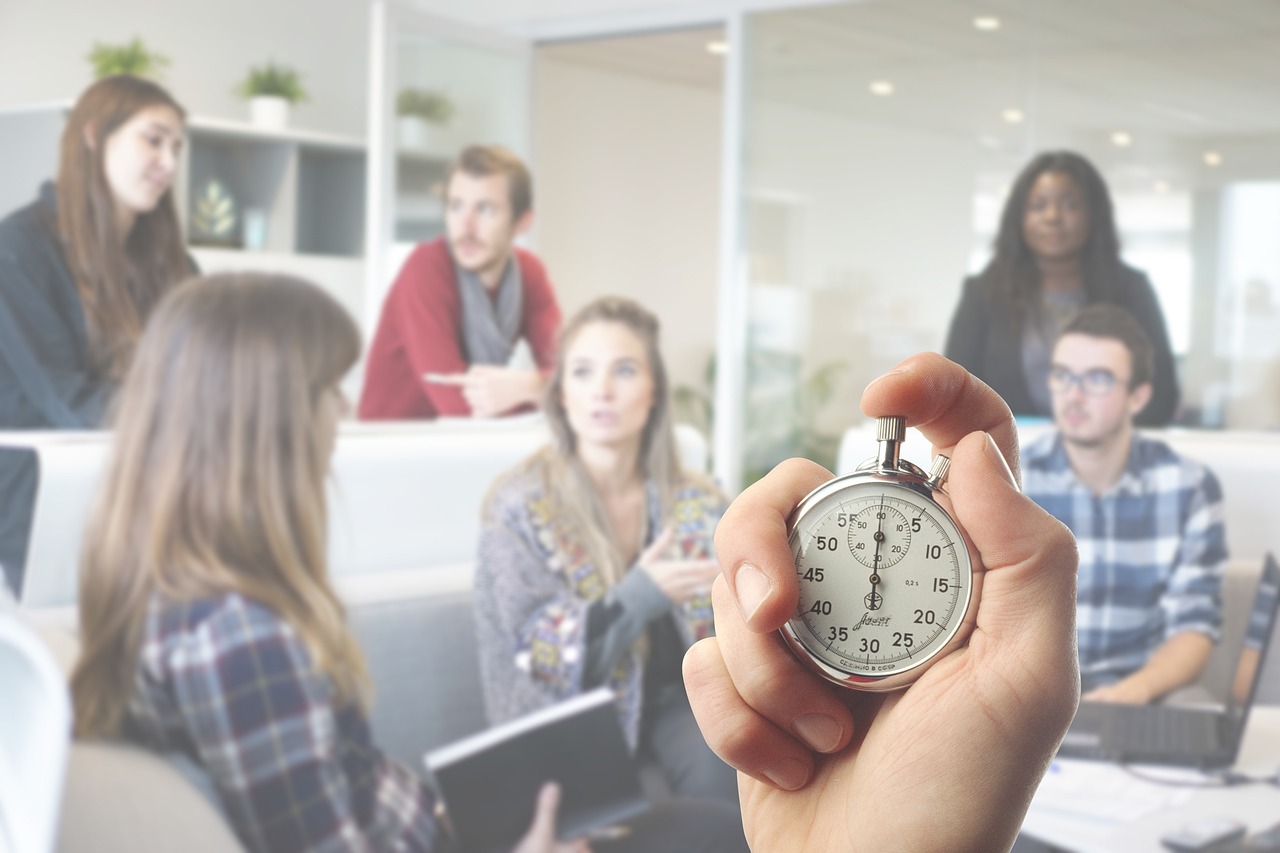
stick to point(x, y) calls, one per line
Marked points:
point(228, 683)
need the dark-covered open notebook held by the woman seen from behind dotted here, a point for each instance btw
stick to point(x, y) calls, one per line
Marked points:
point(490, 782)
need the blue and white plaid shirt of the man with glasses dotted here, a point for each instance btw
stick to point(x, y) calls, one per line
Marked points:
point(1153, 551)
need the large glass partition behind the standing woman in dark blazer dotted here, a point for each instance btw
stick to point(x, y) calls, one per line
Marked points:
point(879, 140)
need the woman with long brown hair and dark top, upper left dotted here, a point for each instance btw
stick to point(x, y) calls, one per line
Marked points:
point(81, 270)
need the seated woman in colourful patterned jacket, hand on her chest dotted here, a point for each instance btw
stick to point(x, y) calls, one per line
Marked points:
point(596, 556)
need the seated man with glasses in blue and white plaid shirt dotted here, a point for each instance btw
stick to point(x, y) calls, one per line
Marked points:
point(1149, 523)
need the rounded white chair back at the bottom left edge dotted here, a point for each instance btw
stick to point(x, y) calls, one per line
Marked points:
point(35, 733)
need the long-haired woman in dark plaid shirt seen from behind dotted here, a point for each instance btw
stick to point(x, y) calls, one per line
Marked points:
point(208, 622)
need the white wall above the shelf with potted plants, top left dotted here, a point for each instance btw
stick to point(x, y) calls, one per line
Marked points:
point(211, 44)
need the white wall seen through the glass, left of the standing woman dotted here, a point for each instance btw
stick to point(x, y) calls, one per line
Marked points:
point(879, 245)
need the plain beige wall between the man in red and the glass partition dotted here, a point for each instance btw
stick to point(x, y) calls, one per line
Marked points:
point(628, 190)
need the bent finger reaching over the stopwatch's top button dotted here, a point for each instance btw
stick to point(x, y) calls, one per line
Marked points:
point(945, 403)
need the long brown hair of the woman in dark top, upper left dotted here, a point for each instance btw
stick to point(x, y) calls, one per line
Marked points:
point(118, 288)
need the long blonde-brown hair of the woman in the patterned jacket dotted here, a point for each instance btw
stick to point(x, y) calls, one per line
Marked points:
point(566, 481)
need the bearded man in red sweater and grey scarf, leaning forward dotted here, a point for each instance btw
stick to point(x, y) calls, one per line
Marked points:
point(461, 303)
